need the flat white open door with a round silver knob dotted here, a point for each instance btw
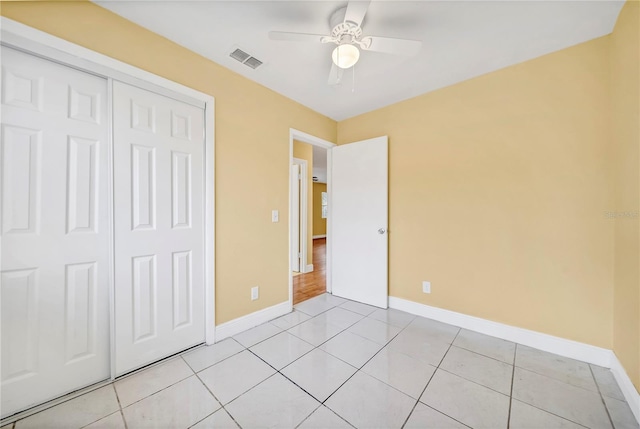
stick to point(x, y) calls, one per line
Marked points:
point(359, 213)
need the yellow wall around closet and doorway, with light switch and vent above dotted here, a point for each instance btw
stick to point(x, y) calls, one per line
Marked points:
point(251, 160)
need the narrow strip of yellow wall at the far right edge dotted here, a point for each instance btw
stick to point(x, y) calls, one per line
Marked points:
point(625, 79)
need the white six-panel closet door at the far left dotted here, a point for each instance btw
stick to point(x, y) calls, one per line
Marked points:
point(55, 231)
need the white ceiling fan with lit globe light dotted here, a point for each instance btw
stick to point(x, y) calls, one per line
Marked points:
point(347, 35)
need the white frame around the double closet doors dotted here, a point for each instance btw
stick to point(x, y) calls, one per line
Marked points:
point(33, 41)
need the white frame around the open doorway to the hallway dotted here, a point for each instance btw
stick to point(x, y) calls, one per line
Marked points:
point(315, 141)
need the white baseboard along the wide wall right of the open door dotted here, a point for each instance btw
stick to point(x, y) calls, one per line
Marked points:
point(563, 347)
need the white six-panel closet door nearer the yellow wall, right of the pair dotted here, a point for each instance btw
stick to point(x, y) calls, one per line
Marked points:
point(159, 230)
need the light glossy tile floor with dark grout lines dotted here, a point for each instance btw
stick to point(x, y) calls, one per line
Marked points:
point(334, 363)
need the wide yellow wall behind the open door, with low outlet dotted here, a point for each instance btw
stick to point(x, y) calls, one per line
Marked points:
point(497, 191)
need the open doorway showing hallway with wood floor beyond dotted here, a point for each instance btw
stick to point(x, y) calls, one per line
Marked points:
point(309, 221)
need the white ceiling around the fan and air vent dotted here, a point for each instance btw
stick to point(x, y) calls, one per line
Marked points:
point(461, 40)
